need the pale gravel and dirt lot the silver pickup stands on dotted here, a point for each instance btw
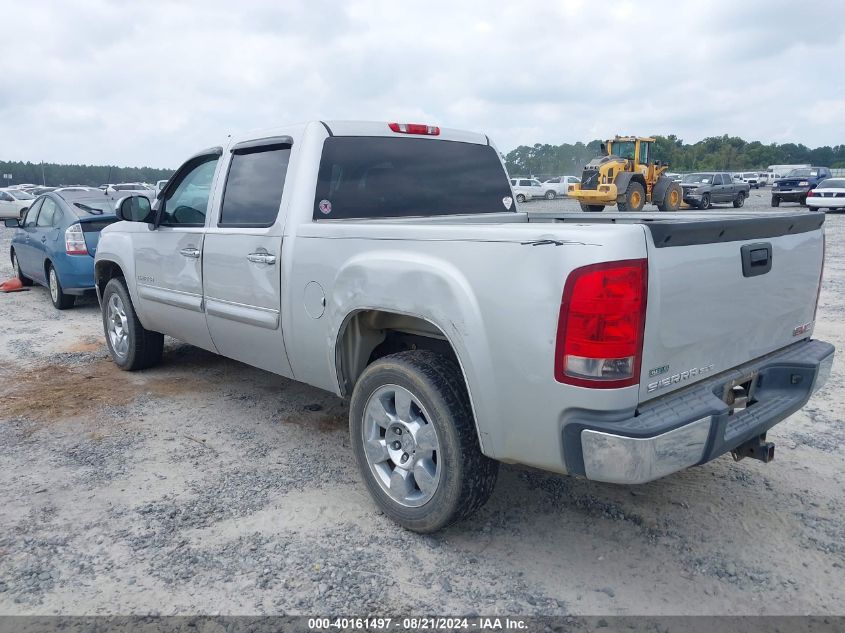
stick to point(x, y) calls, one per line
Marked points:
point(205, 486)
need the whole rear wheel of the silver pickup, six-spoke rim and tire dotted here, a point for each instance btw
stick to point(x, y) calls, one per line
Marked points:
point(414, 439)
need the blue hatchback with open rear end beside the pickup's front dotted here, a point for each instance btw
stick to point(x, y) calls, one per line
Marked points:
point(56, 242)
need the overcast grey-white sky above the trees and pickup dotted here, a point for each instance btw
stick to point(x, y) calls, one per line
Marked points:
point(148, 83)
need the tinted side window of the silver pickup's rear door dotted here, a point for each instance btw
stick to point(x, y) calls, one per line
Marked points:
point(254, 186)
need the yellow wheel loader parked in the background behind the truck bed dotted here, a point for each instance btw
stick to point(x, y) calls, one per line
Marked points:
point(626, 176)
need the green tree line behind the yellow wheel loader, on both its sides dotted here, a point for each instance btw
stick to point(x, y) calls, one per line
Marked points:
point(728, 153)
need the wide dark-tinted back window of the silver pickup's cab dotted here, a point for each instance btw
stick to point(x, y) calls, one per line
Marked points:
point(382, 177)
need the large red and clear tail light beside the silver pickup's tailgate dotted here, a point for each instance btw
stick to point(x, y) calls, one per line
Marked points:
point(600, 327)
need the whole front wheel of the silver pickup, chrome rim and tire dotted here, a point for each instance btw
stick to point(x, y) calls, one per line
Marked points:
point(130, 345)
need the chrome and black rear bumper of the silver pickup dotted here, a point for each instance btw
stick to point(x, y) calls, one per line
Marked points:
point(695, 425)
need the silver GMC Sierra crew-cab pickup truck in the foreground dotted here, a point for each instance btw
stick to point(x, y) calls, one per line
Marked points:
point(389, 264)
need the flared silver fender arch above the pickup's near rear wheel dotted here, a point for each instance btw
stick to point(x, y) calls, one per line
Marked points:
point(421, 286)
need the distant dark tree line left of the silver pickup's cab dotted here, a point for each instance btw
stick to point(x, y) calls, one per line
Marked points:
point(55, 175)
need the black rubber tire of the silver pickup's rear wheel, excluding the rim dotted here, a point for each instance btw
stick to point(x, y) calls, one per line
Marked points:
point(467, 477)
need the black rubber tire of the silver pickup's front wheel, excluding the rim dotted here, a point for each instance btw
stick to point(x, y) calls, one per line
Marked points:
point(144, 346)
